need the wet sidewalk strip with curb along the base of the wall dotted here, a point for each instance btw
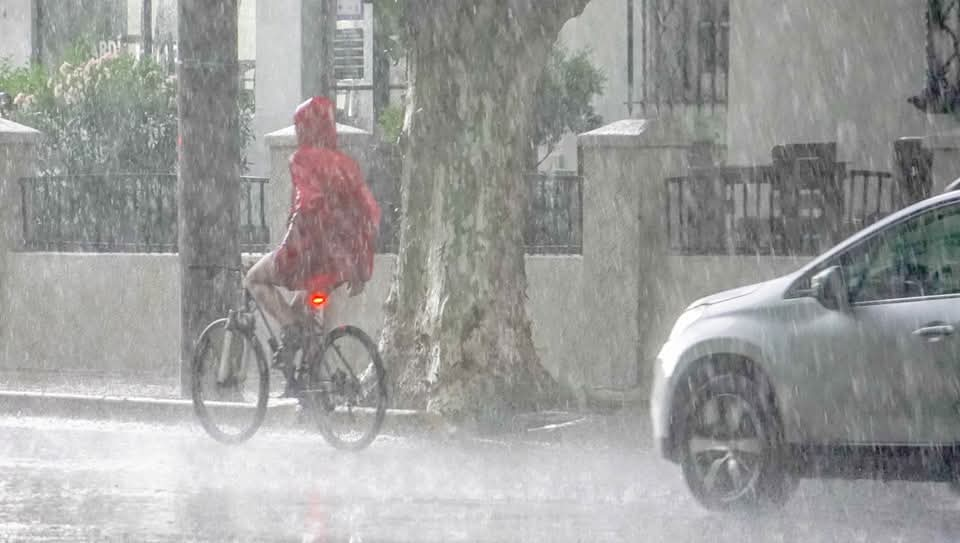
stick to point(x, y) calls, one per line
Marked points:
point(156, 399)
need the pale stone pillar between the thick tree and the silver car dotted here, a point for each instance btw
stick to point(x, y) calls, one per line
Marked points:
point(624, 166)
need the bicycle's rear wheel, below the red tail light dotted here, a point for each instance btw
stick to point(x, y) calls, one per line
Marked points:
point(346, 389)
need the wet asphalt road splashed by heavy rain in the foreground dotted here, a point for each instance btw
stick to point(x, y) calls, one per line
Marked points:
point(80, 481)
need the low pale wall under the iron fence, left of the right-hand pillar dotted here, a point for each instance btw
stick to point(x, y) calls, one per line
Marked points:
point(120, 313)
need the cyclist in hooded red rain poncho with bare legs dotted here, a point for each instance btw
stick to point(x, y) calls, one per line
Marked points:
point(332, 229)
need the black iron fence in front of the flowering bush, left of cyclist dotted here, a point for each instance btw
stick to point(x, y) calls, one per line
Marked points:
point(120, 213)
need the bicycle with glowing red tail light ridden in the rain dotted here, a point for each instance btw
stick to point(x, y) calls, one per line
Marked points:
point(326, 385)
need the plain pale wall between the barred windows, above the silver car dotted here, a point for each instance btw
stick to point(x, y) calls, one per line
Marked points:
point(826, 70)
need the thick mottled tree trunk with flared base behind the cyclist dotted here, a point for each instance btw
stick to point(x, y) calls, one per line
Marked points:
point(457, 338)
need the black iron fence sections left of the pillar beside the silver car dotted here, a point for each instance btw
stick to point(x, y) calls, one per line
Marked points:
point(138, 213)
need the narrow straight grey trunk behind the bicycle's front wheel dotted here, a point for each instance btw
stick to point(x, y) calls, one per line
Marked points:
point(208, 183)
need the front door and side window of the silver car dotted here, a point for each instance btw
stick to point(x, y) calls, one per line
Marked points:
point(885, 370)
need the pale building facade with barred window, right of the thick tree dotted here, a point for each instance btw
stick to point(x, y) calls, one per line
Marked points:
point(751, 74)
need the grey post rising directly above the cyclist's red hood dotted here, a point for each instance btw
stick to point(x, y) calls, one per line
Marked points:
point(318, 28)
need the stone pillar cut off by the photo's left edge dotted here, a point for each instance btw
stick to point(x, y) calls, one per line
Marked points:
point(18, 153)
